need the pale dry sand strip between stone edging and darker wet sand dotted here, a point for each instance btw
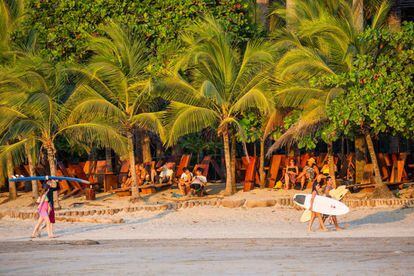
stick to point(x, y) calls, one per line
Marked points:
point(213, 223)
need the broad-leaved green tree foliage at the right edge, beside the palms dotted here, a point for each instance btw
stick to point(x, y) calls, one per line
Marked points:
point(379, 90)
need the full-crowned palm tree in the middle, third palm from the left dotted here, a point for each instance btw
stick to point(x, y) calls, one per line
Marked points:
point(213, 83)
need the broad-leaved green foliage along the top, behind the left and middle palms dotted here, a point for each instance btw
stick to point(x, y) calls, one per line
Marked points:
point(65, 25)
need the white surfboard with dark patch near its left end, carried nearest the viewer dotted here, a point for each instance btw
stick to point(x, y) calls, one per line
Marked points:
point(321, 204)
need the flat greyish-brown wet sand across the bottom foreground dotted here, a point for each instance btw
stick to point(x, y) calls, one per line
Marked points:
point(339, 256)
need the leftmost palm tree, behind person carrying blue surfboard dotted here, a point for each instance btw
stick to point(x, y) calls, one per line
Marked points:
point(33, 95)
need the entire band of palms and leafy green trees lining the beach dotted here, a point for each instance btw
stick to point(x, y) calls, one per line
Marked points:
point(95, 74)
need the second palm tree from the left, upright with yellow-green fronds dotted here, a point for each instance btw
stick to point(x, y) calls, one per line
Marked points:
point(116, 83)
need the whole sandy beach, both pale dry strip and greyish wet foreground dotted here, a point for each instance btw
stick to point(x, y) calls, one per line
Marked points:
point(209, 240)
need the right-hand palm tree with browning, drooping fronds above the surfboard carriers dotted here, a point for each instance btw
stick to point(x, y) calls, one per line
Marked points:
point(323, 42)
